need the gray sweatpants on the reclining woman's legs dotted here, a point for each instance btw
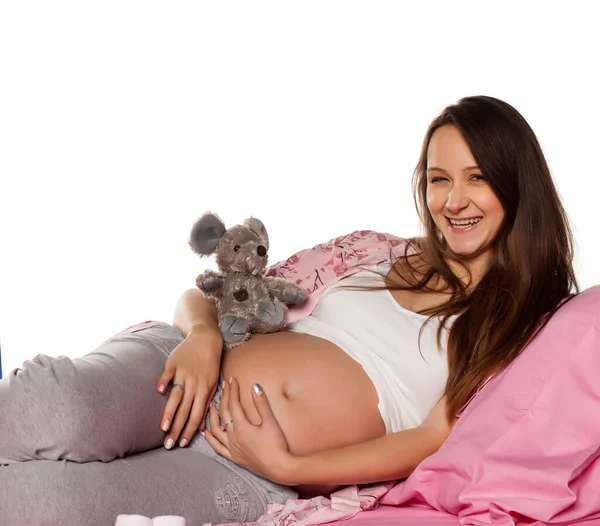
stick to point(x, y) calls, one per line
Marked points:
point(80, 443)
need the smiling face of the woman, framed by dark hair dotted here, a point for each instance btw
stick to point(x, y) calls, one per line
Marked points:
point(462, 204)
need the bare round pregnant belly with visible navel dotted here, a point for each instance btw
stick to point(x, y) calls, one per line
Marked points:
point(320, 396)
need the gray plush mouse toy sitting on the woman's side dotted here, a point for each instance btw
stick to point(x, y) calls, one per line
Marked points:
point(247, 300)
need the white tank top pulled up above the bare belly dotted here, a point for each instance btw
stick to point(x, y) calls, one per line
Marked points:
point(383, 337)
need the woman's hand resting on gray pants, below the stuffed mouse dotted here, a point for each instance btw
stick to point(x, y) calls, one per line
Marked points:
point(194, 364)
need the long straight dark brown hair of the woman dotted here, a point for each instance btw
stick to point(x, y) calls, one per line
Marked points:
point(530, 272)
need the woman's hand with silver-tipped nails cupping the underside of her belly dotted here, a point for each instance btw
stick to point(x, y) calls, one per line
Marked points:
point(263, 448)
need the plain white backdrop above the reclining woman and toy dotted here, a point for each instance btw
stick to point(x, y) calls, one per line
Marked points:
point(121, 122)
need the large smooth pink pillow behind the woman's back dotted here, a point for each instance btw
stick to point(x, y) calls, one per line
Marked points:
point(525, 450)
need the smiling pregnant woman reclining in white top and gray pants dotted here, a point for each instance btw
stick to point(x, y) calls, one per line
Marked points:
point(396, 338)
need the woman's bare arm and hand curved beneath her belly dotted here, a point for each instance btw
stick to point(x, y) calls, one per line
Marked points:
point(263, 448)
